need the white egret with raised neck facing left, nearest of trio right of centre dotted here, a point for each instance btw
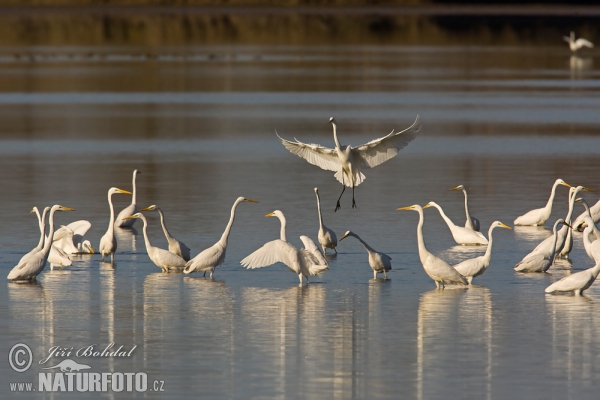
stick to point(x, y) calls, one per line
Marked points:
point(437, 269)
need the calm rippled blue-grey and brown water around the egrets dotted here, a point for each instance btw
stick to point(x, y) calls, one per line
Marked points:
point(505, 122)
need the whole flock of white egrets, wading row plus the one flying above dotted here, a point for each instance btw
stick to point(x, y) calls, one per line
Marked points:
point(348, 163)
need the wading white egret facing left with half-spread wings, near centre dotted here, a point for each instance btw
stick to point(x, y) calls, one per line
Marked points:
point(300, 261)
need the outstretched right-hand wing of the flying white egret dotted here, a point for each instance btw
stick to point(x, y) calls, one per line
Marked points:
point(380, 150)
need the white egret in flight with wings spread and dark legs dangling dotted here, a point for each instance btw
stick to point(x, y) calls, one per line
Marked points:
point(348, 162)
